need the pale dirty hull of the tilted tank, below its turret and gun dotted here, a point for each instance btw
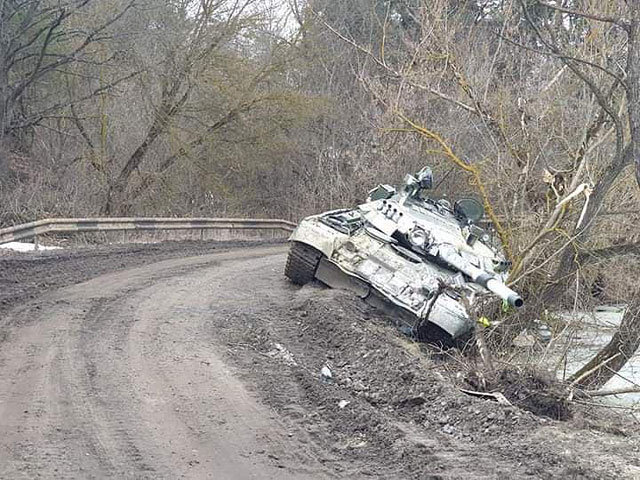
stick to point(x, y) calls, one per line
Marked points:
point(372, 269)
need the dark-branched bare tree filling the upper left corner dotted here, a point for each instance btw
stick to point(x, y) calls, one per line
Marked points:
point(39, 41)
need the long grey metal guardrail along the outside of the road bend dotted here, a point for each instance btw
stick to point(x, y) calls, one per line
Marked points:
point(83, 225)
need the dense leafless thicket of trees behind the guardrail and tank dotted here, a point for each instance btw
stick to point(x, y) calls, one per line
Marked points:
point(286, 108)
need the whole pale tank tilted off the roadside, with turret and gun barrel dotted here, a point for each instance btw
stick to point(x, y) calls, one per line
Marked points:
point(424, 260)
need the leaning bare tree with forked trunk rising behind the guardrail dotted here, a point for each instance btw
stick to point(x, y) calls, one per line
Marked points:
point(208, 33)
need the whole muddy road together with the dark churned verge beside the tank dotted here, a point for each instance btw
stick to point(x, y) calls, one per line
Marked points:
point(209, 367)
